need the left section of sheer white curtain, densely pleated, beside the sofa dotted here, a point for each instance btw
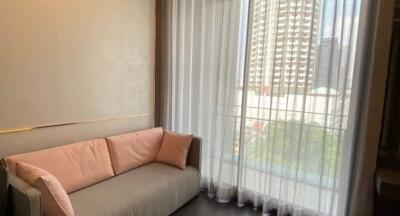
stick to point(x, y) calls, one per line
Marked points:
point(203, 85)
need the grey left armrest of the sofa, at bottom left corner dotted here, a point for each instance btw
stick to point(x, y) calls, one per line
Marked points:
point(23, 199)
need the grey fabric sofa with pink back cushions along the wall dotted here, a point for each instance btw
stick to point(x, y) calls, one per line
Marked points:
point(96, 186)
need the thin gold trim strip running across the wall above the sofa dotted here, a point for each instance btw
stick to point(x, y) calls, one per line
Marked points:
point(13, 130)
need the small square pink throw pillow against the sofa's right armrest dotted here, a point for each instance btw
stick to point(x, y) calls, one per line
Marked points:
point(174, 149)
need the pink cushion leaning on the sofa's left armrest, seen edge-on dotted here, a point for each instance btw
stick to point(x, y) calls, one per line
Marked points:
point(54, 199)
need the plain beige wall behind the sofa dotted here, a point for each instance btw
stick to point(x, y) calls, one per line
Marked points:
point(71, 60)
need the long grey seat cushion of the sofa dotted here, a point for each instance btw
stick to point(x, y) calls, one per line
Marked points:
point(154, 189)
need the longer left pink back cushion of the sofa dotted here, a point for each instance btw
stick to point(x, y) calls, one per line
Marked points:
point(75, 165)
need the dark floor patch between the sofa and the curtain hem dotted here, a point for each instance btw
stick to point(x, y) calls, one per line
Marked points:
point(203, 206)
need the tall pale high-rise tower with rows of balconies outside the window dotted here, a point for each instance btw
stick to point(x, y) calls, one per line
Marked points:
point(283, 43)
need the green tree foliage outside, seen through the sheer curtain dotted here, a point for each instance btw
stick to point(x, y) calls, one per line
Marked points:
point(285, 144)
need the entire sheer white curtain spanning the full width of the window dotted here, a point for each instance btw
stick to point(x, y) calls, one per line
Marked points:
point(267, 85)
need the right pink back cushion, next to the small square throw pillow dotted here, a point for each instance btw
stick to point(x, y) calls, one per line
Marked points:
point(132, 150)
